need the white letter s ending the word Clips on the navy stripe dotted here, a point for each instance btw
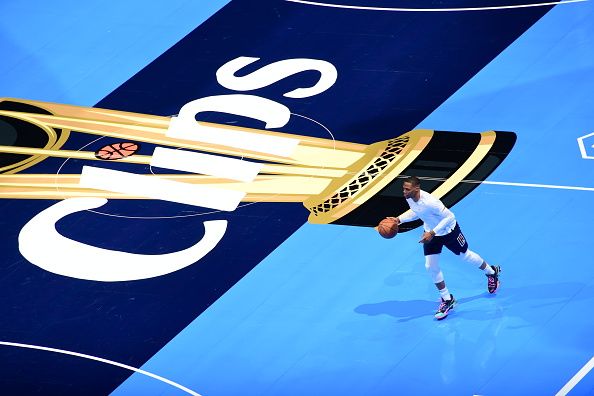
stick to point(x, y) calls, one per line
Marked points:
point(274, 72)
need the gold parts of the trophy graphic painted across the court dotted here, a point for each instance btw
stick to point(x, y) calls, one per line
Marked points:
point(331, 178)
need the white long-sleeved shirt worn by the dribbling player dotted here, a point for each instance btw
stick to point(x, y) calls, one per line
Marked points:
point(432, 212)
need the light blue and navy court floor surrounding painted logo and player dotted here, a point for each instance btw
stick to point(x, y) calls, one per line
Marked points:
point(281, 306)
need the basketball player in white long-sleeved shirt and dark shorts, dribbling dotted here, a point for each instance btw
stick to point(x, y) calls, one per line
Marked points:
point(441, 229)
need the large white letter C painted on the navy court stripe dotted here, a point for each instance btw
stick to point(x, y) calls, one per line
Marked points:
point(42, 245)
